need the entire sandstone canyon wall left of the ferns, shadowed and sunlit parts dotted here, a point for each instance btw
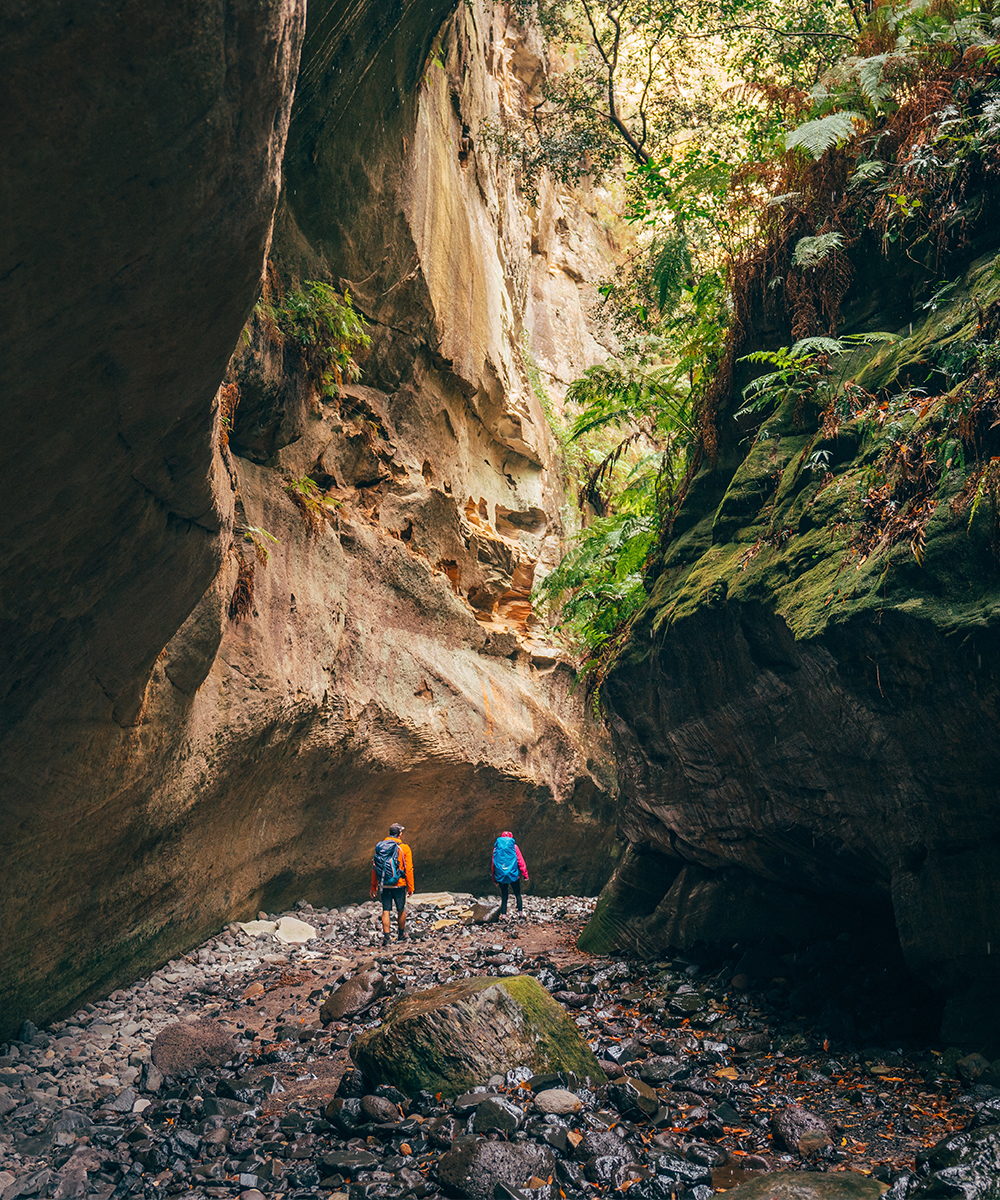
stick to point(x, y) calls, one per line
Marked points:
point(173, 759)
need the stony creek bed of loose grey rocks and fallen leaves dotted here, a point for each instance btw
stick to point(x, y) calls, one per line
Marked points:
point(718, 1072)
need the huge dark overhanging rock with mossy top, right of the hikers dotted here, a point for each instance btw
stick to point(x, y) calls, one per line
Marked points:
point(811, 695)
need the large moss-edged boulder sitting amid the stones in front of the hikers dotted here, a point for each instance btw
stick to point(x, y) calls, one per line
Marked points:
point(447, 1040)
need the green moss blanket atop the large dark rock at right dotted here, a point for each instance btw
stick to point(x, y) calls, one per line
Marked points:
point(786, 535)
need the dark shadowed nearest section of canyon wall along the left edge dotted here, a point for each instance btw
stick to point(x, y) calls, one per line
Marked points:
point(141, 173)
